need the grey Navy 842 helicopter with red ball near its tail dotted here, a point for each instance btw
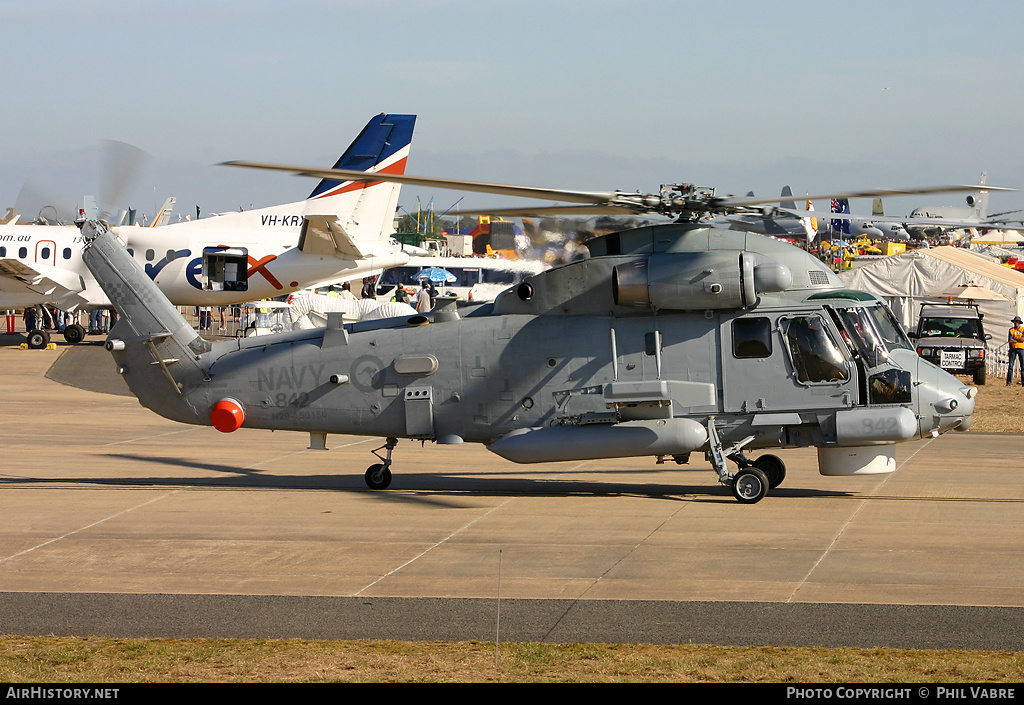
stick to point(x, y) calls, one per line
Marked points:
point(664, 342)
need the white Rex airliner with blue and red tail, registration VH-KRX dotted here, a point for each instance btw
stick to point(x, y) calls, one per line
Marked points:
point(343, 231)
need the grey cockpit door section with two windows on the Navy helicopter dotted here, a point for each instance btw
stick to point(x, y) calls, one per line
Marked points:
point(787, 363)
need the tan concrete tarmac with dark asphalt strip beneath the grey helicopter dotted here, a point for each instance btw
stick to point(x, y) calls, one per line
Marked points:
point(118, 522)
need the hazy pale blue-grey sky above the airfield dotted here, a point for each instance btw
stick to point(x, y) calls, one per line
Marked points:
point(600, 96)
